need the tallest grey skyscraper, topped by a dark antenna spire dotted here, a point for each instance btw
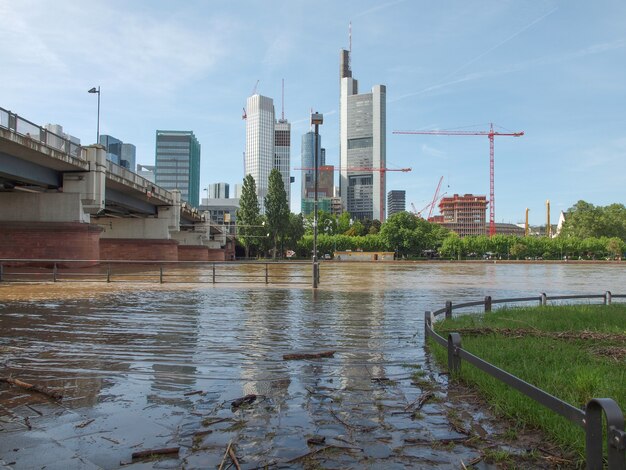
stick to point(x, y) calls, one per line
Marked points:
point(362, 144)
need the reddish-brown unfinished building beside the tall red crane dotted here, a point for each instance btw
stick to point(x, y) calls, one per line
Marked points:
point(465, 215)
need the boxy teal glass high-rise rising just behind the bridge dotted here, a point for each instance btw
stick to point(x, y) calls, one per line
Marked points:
point(178, 163)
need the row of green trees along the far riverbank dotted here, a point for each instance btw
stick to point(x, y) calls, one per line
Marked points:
point(589, 232)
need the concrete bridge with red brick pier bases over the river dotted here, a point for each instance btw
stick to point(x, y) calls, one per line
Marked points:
point(61, 200)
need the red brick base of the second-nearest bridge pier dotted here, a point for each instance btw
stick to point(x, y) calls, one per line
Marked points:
point(138, 249)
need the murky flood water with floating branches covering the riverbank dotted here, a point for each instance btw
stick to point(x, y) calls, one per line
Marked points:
point(125, 356)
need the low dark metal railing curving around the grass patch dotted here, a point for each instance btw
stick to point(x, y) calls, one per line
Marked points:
point(590, 419)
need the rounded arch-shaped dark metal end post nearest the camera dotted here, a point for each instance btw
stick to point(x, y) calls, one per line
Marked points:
point(615, 435)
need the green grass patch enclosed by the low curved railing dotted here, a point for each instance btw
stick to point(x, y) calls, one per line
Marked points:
point(573, 352)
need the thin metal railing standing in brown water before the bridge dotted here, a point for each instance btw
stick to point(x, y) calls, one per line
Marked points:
point(159, 272)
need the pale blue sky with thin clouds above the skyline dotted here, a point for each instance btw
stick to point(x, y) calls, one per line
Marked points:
point(554, 69)
